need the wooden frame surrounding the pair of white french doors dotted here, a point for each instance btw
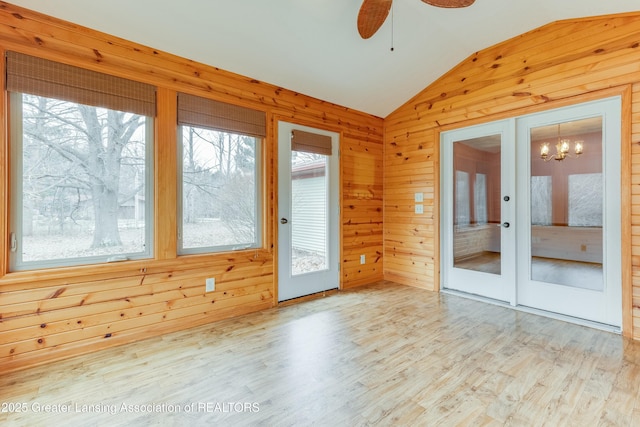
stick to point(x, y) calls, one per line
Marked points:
point(626, 289)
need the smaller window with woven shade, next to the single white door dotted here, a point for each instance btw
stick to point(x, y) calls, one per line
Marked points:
point(219, 162)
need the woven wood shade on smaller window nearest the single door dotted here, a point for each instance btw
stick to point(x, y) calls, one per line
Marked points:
point(207, 113)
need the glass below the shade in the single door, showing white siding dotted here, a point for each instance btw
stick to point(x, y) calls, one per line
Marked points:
point(309, 205)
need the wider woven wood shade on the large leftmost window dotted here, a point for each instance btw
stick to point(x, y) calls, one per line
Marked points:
point(42, 77)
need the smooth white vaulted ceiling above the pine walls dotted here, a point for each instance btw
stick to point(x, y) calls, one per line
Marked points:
point(313, 46)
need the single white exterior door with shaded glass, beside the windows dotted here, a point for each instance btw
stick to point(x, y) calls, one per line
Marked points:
point(308, 210)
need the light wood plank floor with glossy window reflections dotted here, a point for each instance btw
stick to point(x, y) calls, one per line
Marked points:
point(379, 355)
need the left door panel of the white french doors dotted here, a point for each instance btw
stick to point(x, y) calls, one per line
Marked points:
point(478, 210)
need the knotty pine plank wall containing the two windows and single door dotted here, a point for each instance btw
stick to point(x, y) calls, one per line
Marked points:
point(48, 315)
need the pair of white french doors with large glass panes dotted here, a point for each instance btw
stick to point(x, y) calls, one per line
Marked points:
point(542, 233)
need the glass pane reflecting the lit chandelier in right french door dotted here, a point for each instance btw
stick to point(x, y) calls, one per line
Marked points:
point(567, 196)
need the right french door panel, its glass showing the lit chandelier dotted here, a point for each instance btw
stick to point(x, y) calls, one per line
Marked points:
point(569, 242)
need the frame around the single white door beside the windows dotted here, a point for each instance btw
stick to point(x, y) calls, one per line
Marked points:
point(283, 128)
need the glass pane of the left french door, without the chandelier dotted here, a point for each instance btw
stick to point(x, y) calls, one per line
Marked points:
point(476, 204)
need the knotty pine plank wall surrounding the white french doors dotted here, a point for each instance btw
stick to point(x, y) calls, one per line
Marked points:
point(558, 64)
